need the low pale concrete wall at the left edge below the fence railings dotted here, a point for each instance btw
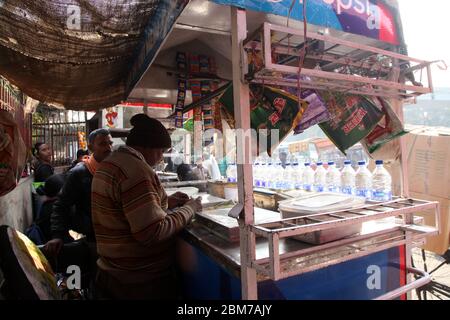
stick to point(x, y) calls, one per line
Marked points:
point(16, 206)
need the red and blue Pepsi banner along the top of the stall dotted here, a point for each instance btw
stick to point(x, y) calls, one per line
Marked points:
point(371, 18)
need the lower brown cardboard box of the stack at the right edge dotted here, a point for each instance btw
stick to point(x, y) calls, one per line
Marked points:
point(440, 243)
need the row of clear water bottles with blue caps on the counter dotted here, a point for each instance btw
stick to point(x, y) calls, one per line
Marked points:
point(374, 186)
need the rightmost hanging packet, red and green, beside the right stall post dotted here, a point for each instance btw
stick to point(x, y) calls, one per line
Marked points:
point(389, 128)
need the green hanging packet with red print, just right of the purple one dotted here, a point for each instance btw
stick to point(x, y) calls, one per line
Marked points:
point(352, 118)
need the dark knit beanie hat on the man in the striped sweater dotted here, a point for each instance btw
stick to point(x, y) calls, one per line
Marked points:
point(148, 133)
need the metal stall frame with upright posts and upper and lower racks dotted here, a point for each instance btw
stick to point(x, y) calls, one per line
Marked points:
point(406, 234)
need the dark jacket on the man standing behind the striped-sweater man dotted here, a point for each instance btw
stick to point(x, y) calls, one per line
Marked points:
point(72, 210)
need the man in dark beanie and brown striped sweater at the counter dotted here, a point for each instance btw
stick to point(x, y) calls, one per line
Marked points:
point(134, 231)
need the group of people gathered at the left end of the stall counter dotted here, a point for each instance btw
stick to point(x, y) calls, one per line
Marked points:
point(115, 201)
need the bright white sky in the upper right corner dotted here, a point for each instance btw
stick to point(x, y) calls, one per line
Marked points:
point(426, 25)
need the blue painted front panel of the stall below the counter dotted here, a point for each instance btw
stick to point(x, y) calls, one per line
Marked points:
point(345, 281)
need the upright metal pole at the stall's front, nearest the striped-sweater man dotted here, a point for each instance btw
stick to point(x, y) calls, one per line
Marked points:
point(245, 181)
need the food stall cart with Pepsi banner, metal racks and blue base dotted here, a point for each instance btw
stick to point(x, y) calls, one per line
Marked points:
point(246, 252)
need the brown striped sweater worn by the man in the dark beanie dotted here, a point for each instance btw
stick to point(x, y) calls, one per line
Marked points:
point(134, 232)
